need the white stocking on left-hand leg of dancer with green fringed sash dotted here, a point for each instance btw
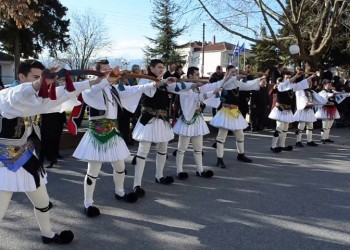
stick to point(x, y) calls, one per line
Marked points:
point(90, 182)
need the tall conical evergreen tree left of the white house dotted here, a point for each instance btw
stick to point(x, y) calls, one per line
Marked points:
point(164, 48)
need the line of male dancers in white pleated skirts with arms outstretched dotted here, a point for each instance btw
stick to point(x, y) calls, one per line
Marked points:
point(22, 171)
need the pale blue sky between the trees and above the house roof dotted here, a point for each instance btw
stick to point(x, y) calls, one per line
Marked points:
point(128, 22)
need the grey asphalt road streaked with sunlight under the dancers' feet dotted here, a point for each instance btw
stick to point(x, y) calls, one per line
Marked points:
point(297, 200)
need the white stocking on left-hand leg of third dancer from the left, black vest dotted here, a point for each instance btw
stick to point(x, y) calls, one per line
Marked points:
point(141, 156)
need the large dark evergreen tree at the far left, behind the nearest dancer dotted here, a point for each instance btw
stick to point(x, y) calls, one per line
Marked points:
point(49, 30)
